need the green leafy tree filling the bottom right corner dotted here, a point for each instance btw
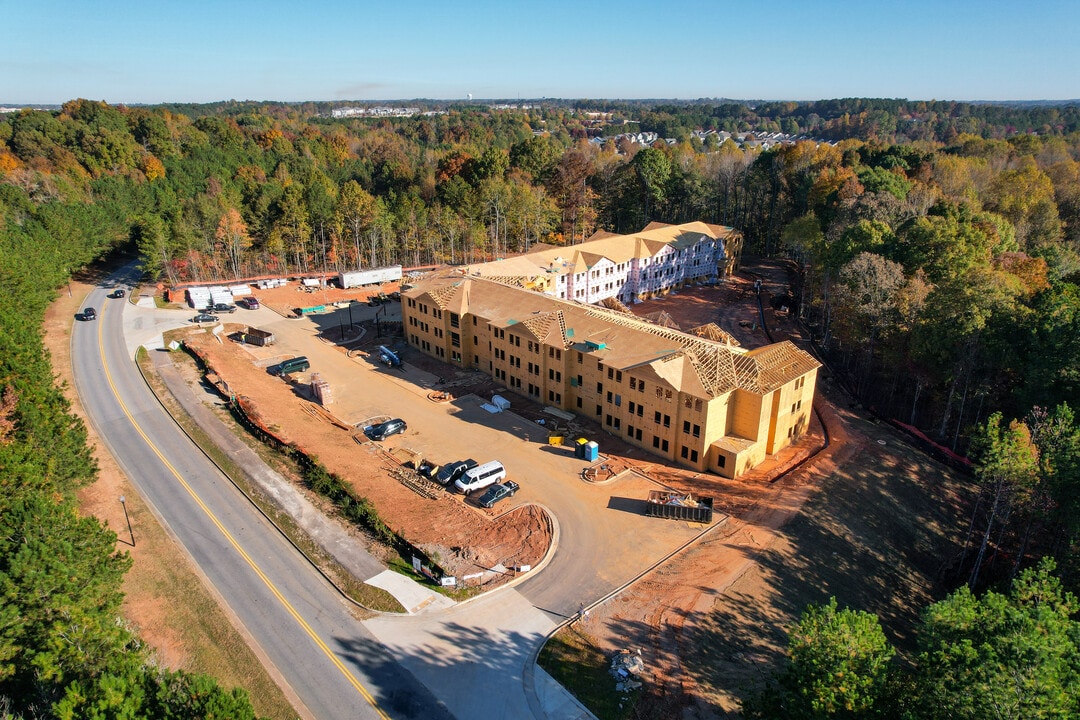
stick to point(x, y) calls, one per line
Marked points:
point(1009, 658)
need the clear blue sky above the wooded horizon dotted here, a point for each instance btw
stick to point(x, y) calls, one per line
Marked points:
point(198, 51)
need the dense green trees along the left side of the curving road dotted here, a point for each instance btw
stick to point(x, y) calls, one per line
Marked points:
point(64, 649)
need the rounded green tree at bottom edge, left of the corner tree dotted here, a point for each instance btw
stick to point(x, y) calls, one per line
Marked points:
point(839, 669)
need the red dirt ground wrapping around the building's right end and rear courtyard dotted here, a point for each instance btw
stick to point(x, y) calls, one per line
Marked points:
point(712, 622)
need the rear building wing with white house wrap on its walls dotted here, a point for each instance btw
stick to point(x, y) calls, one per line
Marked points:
point(628, 268)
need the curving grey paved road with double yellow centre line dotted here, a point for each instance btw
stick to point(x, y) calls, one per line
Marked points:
point(304, 628)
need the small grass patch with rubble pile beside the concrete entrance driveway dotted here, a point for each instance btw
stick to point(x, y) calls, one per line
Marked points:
point(572, 659)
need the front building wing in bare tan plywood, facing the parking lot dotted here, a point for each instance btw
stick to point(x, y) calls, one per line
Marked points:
point(697, 402)
